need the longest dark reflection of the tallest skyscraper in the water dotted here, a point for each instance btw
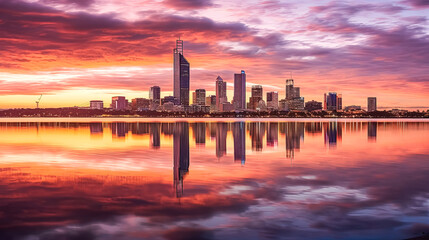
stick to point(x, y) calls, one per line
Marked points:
point(180, 155)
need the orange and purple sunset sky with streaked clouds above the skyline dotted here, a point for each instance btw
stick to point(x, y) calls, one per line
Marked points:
point(74, 51)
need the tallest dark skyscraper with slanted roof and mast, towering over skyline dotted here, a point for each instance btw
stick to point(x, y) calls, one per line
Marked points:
point(181, 75)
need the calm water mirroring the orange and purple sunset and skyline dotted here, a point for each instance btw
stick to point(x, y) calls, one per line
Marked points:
point(214, 180)
